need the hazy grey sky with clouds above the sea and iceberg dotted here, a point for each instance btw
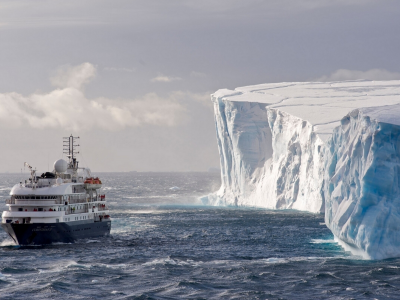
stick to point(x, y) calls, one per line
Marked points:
point(133, 78)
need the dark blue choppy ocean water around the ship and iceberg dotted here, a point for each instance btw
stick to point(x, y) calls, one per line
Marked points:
point(166, 245)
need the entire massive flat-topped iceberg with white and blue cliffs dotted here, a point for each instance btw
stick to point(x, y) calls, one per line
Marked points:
point(317, 147)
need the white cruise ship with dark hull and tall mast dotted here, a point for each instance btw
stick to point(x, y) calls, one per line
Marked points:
point(57, 207)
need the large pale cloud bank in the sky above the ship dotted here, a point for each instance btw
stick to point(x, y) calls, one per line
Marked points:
point(67, 107)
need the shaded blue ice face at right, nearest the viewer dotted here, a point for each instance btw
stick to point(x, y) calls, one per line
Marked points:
point(362, 191)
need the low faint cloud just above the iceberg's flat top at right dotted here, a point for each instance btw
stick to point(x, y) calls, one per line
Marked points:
point(373, 74)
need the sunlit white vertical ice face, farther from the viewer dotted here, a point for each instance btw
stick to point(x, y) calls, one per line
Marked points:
point(269, 158)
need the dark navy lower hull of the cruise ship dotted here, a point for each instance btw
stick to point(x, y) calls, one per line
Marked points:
point(47, 233)
